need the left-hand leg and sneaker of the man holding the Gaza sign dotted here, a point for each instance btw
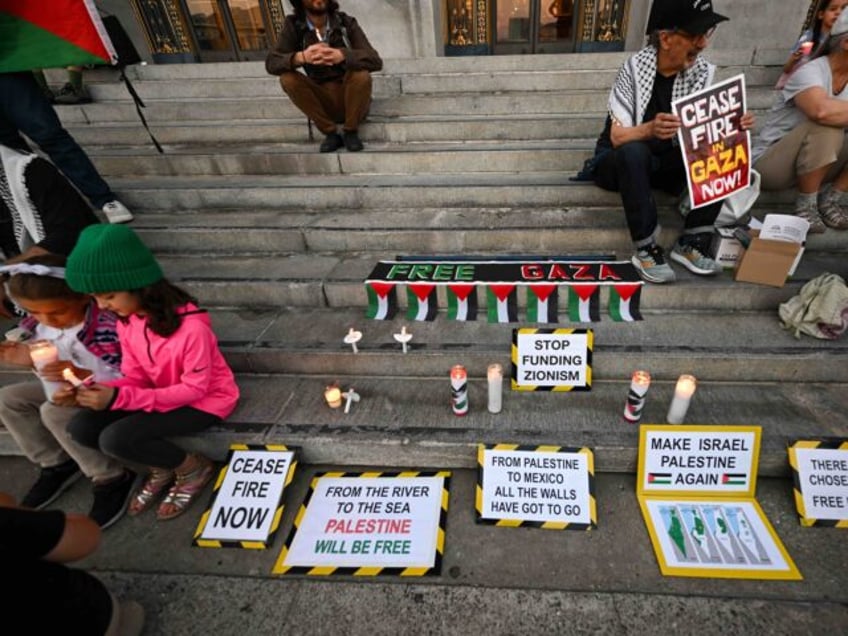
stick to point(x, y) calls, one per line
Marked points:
point(627, 169)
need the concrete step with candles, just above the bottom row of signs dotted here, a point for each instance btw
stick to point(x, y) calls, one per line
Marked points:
point(407, 422)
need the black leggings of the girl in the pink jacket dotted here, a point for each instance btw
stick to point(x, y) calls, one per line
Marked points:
point(139, 437)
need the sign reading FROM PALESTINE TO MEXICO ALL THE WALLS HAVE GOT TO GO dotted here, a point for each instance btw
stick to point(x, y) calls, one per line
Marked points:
point(541, 486)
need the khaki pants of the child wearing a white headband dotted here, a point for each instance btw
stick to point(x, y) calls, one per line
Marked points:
point(40, 430)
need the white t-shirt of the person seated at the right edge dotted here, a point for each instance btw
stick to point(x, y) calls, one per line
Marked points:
point(784, 115)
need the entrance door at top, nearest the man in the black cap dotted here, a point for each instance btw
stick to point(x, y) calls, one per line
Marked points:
point(534, 26)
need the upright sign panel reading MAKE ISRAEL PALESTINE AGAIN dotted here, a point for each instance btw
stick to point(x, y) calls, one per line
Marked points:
point(715, 460)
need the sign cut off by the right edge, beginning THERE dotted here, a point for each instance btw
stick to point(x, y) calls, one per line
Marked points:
point(820, 472)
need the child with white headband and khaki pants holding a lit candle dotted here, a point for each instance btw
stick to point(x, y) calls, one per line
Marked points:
point(73, 334)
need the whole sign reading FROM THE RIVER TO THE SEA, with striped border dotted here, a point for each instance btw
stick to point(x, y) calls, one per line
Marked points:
point(369, 524)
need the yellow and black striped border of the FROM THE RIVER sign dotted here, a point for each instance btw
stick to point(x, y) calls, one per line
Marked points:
point(280, 568)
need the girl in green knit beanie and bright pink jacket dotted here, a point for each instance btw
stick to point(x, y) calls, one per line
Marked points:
point(175, 380)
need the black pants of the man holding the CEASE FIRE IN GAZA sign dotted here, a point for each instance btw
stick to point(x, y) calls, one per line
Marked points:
point(633, 169)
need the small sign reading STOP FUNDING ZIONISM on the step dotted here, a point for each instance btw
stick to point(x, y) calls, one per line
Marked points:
point(552, 359)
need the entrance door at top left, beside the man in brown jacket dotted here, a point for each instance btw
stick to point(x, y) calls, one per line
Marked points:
point(230, 30)
